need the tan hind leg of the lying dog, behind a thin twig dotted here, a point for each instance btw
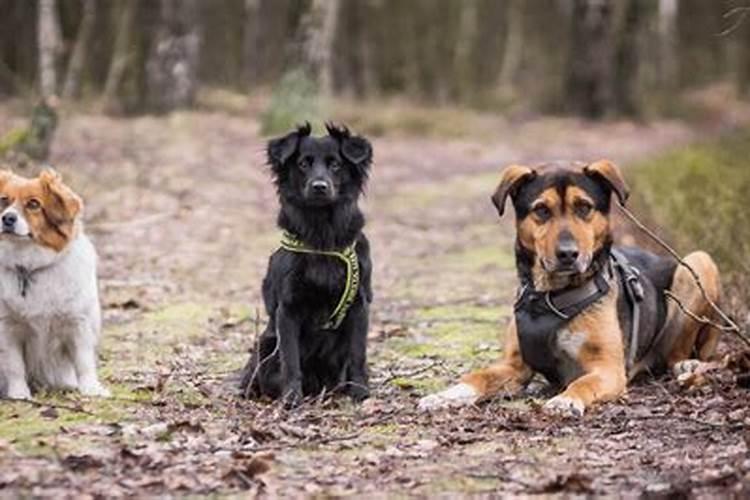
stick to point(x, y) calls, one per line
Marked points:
point(683, 336)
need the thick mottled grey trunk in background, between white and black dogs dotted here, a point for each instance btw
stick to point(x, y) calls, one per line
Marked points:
point(172, 66)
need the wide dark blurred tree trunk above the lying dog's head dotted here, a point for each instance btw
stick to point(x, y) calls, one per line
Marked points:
point(588, 85)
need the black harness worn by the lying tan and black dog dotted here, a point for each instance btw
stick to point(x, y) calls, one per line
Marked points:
point(540, 315)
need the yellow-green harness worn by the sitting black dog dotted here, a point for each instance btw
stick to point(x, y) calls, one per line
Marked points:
point(349, 257)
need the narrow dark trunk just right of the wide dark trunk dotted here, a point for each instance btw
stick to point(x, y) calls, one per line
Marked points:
point(627, 60)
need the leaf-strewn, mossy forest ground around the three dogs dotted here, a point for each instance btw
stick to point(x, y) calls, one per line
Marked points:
point(182, 212)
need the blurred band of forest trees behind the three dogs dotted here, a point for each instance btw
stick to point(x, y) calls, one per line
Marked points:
point(594, 58)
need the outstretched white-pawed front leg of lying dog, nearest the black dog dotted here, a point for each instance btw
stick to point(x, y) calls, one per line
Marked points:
point(508, 375)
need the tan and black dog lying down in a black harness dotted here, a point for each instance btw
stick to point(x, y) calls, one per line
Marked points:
point(589, 316)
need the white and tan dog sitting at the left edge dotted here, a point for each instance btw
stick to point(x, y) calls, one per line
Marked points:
point(49, 303)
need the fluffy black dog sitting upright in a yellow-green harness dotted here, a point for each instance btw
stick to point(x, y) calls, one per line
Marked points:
point(317, 288)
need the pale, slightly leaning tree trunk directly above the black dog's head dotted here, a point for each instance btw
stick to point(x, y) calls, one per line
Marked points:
point(321, 23)
